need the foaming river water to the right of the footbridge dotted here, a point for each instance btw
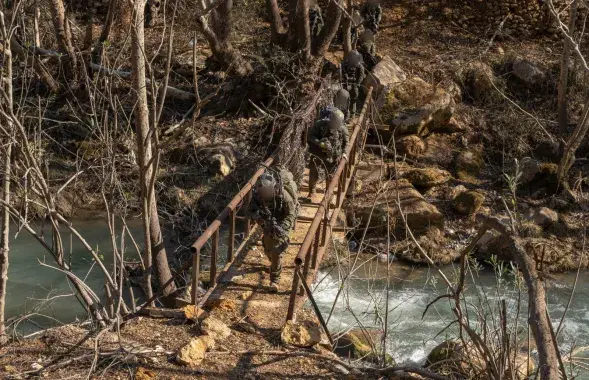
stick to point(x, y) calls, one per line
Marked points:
point(411, 336)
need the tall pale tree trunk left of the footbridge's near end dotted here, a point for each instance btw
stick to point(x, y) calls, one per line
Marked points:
point(155, 253)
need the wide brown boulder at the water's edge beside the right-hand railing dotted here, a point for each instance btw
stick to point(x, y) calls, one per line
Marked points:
point(372, 208)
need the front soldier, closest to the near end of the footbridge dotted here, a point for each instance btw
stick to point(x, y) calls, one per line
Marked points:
point(274, 206)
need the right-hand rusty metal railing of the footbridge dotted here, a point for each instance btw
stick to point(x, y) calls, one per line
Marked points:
point(316, 241)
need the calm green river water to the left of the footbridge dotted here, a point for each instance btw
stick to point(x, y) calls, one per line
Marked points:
point(31, 284)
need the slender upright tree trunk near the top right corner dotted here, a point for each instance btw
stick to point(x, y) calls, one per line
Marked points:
point(562, 82)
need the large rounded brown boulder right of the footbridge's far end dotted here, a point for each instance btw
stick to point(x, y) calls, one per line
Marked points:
point(416, 107)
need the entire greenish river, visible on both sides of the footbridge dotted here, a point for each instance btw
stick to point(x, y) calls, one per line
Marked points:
point(410, 290)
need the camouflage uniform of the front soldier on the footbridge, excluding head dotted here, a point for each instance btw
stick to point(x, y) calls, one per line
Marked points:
point(277, 217)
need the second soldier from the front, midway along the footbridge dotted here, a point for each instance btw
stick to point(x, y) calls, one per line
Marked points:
point(328, 140)
